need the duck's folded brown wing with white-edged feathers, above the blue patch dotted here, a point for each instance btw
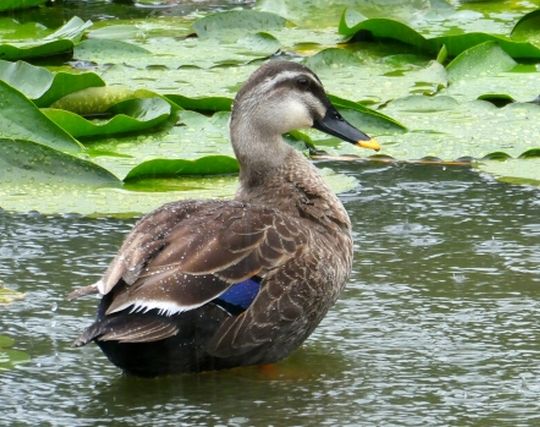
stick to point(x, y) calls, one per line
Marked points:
point(186, 254)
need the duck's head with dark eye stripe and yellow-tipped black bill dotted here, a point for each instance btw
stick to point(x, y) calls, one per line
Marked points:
point(282, 96)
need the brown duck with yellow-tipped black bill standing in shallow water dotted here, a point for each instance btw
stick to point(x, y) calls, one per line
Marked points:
point(203, 285)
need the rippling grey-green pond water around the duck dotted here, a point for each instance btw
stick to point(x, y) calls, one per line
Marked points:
point(439, 324)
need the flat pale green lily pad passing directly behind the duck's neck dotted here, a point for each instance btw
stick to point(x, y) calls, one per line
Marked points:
point(134, 199)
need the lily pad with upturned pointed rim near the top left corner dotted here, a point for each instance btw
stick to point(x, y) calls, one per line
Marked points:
point(61, 41)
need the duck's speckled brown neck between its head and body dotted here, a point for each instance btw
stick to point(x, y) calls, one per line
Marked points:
point(273, 174)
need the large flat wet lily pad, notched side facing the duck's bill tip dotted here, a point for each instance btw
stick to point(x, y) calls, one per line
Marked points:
point(443, 128)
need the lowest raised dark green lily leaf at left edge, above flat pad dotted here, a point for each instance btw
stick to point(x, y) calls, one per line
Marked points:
point(28, 162)
